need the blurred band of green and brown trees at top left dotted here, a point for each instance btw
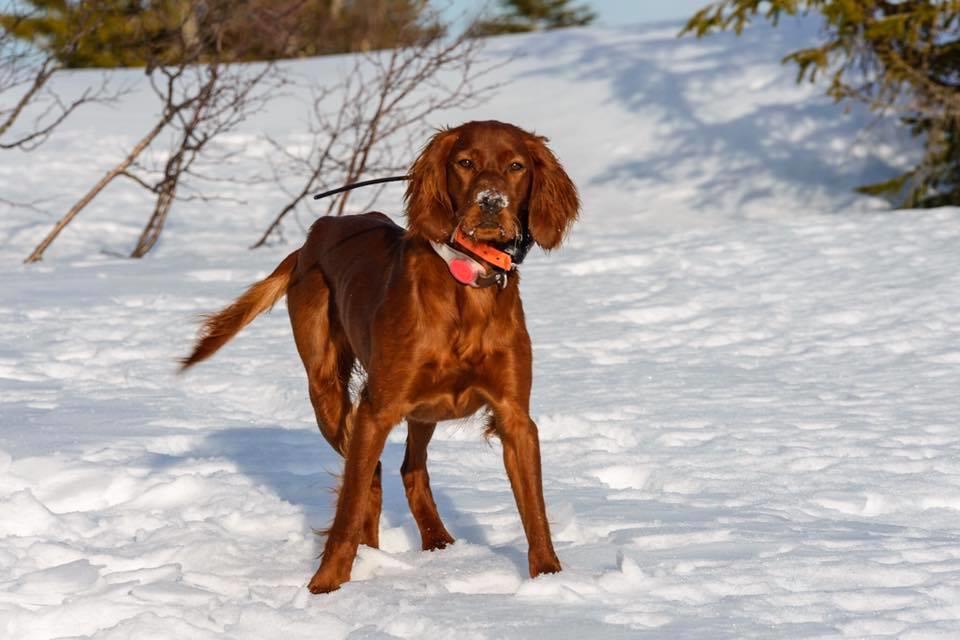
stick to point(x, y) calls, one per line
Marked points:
point(125, 33)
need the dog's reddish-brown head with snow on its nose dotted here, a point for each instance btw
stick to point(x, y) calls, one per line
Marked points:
point(493, 180)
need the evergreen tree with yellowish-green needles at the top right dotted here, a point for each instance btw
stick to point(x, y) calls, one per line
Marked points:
point(901, 56)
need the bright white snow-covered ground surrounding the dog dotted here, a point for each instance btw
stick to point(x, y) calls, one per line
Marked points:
point(745, 379)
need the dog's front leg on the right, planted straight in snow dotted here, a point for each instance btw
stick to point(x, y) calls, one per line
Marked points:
point(521, 457)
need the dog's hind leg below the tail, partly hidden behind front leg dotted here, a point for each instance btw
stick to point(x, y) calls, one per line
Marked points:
point(329, 361)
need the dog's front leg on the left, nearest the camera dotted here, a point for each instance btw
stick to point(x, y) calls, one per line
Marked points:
point(368, 435)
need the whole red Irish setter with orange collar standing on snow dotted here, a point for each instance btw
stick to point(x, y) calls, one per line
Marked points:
point(433, 315)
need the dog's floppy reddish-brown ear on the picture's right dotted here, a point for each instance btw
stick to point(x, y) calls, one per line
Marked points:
point(554, 203)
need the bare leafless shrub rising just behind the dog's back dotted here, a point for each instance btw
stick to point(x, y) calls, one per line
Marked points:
point(384, 103)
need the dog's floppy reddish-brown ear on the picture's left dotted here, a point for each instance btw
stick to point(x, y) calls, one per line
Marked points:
point(429, 210)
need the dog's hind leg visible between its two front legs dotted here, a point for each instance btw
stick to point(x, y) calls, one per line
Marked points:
point(416, 483)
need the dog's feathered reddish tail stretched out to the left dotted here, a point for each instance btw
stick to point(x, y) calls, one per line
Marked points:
point(219, 328)
